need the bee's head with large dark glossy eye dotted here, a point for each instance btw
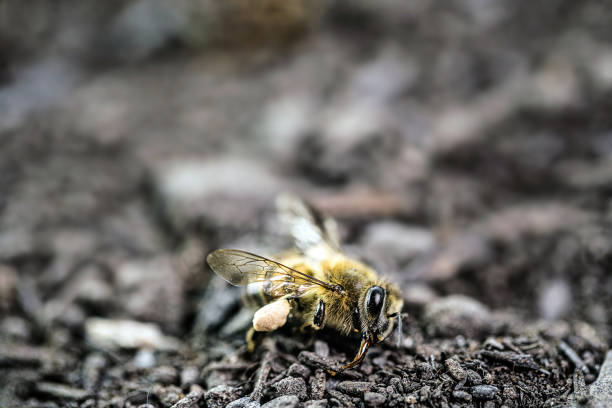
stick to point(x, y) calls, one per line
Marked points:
point(377, 308)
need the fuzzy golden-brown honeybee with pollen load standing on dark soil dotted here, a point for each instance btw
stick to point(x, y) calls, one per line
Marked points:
point(316, 285)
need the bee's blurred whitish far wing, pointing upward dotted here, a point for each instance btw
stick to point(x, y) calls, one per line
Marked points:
point(315, 235)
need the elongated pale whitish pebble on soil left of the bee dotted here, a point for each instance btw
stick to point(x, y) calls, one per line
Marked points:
point(115, 333)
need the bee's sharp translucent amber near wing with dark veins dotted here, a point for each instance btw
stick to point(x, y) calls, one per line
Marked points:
point(241, 268)
